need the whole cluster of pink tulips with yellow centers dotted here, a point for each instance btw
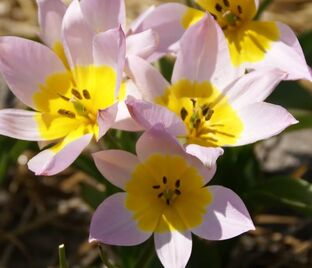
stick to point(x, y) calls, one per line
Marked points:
point(91, 74)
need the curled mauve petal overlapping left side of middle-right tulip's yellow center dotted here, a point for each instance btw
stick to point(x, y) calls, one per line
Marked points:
point(149, 114)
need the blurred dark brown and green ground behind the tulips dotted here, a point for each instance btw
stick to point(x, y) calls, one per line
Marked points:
point(273, 177)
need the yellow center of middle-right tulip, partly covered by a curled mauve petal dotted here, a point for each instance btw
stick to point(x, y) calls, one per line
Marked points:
point(206, 113)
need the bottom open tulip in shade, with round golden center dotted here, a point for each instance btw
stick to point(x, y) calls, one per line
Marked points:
point(165, 193)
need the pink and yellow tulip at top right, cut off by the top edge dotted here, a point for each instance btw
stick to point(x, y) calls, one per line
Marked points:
point(252, 44)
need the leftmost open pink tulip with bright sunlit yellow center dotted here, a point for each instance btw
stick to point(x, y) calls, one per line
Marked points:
point(73, 90)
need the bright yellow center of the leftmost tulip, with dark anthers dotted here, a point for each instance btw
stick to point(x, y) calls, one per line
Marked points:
point(69, 102)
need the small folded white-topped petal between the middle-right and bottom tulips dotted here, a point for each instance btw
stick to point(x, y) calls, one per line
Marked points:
point(208, 158)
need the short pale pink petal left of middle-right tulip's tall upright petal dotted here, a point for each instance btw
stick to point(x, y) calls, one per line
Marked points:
point(149, 80)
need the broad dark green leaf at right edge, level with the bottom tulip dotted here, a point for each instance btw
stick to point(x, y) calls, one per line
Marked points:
point(285, 191)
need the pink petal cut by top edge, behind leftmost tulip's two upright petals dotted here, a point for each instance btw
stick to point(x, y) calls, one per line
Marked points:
point(103, 15)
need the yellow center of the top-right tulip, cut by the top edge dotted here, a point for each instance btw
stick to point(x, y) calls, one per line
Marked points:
point(248, 40)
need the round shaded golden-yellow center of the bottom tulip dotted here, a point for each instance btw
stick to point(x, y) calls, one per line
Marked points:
point(165, 193)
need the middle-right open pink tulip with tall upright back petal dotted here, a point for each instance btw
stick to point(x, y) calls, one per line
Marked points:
point(209, 102)
